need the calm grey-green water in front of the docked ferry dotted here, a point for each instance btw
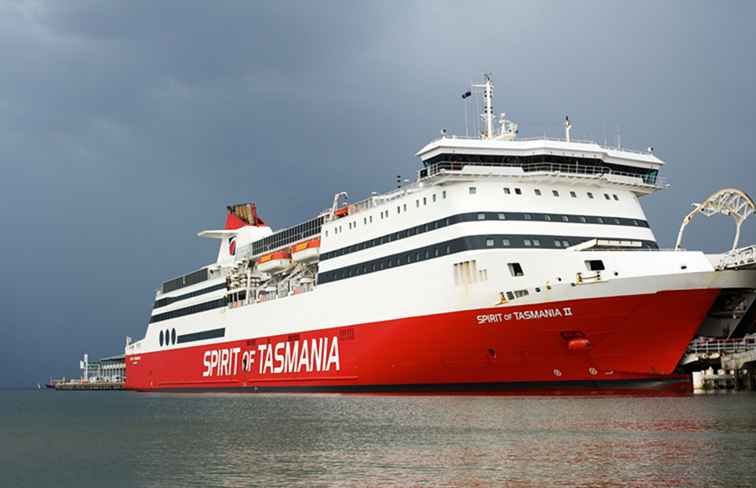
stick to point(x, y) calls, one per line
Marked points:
point(118, 439)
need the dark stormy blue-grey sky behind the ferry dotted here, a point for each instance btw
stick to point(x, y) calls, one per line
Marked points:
point(126, 127)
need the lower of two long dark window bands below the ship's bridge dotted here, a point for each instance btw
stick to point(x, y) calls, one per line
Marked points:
point(460, 244)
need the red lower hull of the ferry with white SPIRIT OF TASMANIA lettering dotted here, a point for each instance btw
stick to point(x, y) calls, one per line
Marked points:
point(614, 344)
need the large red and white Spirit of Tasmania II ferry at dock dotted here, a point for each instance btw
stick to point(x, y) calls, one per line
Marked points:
point(508, 265)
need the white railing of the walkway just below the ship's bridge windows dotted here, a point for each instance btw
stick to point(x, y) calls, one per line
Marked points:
point(650, 179)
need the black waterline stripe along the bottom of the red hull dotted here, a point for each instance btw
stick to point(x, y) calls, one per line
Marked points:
point(679, 382)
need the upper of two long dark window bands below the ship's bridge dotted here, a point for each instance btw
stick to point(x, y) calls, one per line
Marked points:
point(483, 217)
